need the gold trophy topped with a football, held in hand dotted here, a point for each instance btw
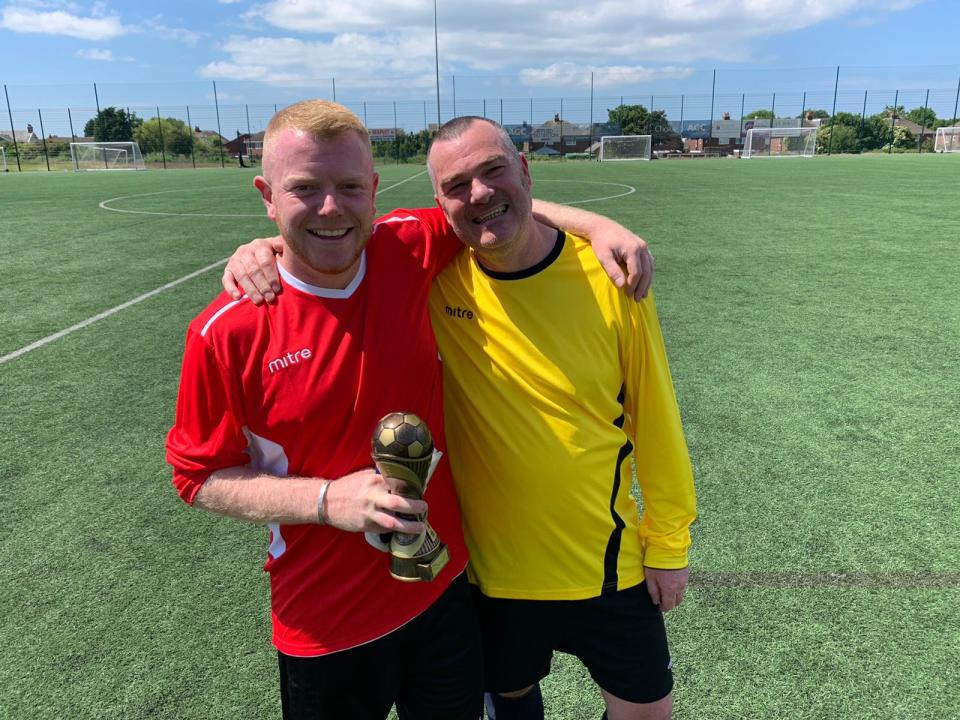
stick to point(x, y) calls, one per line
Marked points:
point(403, 453)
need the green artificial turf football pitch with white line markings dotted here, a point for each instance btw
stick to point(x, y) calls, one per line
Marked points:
point(811, 311)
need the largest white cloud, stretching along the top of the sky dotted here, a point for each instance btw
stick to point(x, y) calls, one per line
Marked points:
point(620, 41)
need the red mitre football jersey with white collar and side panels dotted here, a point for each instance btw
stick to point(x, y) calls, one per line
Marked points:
point(297, 388)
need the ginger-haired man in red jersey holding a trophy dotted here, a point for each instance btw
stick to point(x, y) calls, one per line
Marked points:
point(273, 425)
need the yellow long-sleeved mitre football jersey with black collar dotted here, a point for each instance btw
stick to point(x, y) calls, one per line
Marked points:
point(553, 380)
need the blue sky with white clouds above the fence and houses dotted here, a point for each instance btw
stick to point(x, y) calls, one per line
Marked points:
point(51, 51)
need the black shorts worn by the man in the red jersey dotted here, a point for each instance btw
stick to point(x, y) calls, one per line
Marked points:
point(431, 668)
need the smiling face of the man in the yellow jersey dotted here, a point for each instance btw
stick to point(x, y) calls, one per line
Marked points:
point(483, 189)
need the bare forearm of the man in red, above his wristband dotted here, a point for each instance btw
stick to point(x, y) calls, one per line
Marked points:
point(245, 494)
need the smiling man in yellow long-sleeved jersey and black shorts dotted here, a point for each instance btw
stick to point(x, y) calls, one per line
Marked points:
point(554, 380)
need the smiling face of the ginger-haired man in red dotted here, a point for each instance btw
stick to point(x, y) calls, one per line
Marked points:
point(321, 193)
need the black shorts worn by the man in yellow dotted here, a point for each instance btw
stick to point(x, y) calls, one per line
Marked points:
point(620, 638)
